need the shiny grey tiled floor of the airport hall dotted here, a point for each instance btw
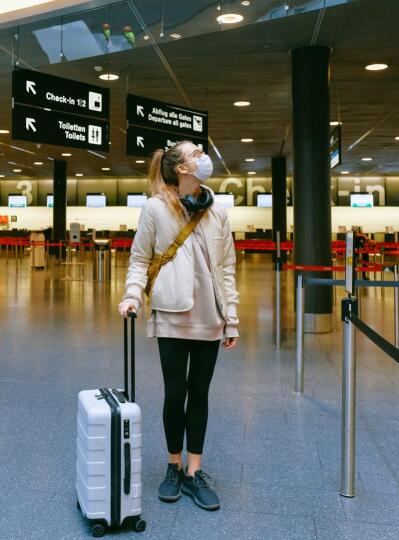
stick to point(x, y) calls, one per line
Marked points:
point(273, 455)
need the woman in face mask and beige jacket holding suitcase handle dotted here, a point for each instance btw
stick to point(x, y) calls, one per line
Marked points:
point(193, 303)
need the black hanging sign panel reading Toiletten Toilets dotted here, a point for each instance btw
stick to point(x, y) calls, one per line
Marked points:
point(63, 129)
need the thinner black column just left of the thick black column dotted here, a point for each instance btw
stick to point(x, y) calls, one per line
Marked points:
point(279, 189)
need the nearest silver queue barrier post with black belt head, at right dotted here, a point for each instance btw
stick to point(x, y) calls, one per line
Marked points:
point(348, 399)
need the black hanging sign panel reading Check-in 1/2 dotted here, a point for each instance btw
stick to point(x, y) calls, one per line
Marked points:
point(42, 90)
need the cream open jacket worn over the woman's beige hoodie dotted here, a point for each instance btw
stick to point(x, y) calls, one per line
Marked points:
point(173, 289)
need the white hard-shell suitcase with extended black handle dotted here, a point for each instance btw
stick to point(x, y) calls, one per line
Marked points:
point(108, 465)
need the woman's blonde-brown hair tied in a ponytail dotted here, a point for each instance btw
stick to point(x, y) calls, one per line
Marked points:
point(162, 177)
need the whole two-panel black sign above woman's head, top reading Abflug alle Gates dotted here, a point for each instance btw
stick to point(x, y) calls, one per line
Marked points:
point(156, 124)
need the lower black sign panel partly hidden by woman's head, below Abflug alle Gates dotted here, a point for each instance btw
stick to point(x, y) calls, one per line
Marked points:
point(142, 141)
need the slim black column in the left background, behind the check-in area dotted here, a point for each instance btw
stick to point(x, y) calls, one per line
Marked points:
point(60, 201)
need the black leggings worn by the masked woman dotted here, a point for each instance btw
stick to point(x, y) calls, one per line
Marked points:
point(174, 355)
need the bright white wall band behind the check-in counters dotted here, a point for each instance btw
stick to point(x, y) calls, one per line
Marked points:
point(36, 217)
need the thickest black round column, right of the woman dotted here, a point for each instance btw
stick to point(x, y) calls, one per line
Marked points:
point(312, 182)
